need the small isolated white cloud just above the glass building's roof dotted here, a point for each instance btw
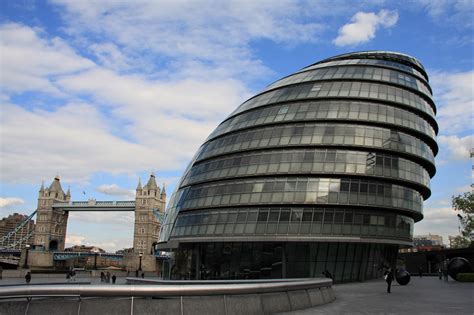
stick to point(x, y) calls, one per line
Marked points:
point(363, 27)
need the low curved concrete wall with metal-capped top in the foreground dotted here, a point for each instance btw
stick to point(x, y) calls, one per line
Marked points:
point(239, 297)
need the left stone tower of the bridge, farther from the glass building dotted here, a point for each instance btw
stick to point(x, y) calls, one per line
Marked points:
point(51, 224)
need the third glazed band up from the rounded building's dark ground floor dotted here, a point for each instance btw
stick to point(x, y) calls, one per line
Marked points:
point(308, 161)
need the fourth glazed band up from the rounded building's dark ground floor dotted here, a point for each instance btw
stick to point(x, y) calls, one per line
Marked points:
point(320, 135)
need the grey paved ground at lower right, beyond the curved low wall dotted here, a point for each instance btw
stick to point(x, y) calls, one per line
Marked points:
point(427, 295)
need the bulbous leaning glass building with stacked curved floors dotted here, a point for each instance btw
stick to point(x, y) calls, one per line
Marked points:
point(324, 170)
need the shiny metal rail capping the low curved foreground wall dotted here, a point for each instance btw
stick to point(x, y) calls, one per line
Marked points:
point(163, 291)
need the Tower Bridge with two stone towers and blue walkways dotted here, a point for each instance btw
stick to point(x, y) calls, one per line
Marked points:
point(52, 215)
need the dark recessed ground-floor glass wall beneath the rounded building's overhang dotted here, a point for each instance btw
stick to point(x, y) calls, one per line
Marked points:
point(344, 261)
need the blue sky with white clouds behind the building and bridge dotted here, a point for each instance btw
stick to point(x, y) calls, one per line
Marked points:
point(103, 93)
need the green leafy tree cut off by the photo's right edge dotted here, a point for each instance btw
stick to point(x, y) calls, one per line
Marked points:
point(464, 205)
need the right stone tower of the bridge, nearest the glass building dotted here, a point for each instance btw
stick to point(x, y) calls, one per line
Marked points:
point(149, 199)
